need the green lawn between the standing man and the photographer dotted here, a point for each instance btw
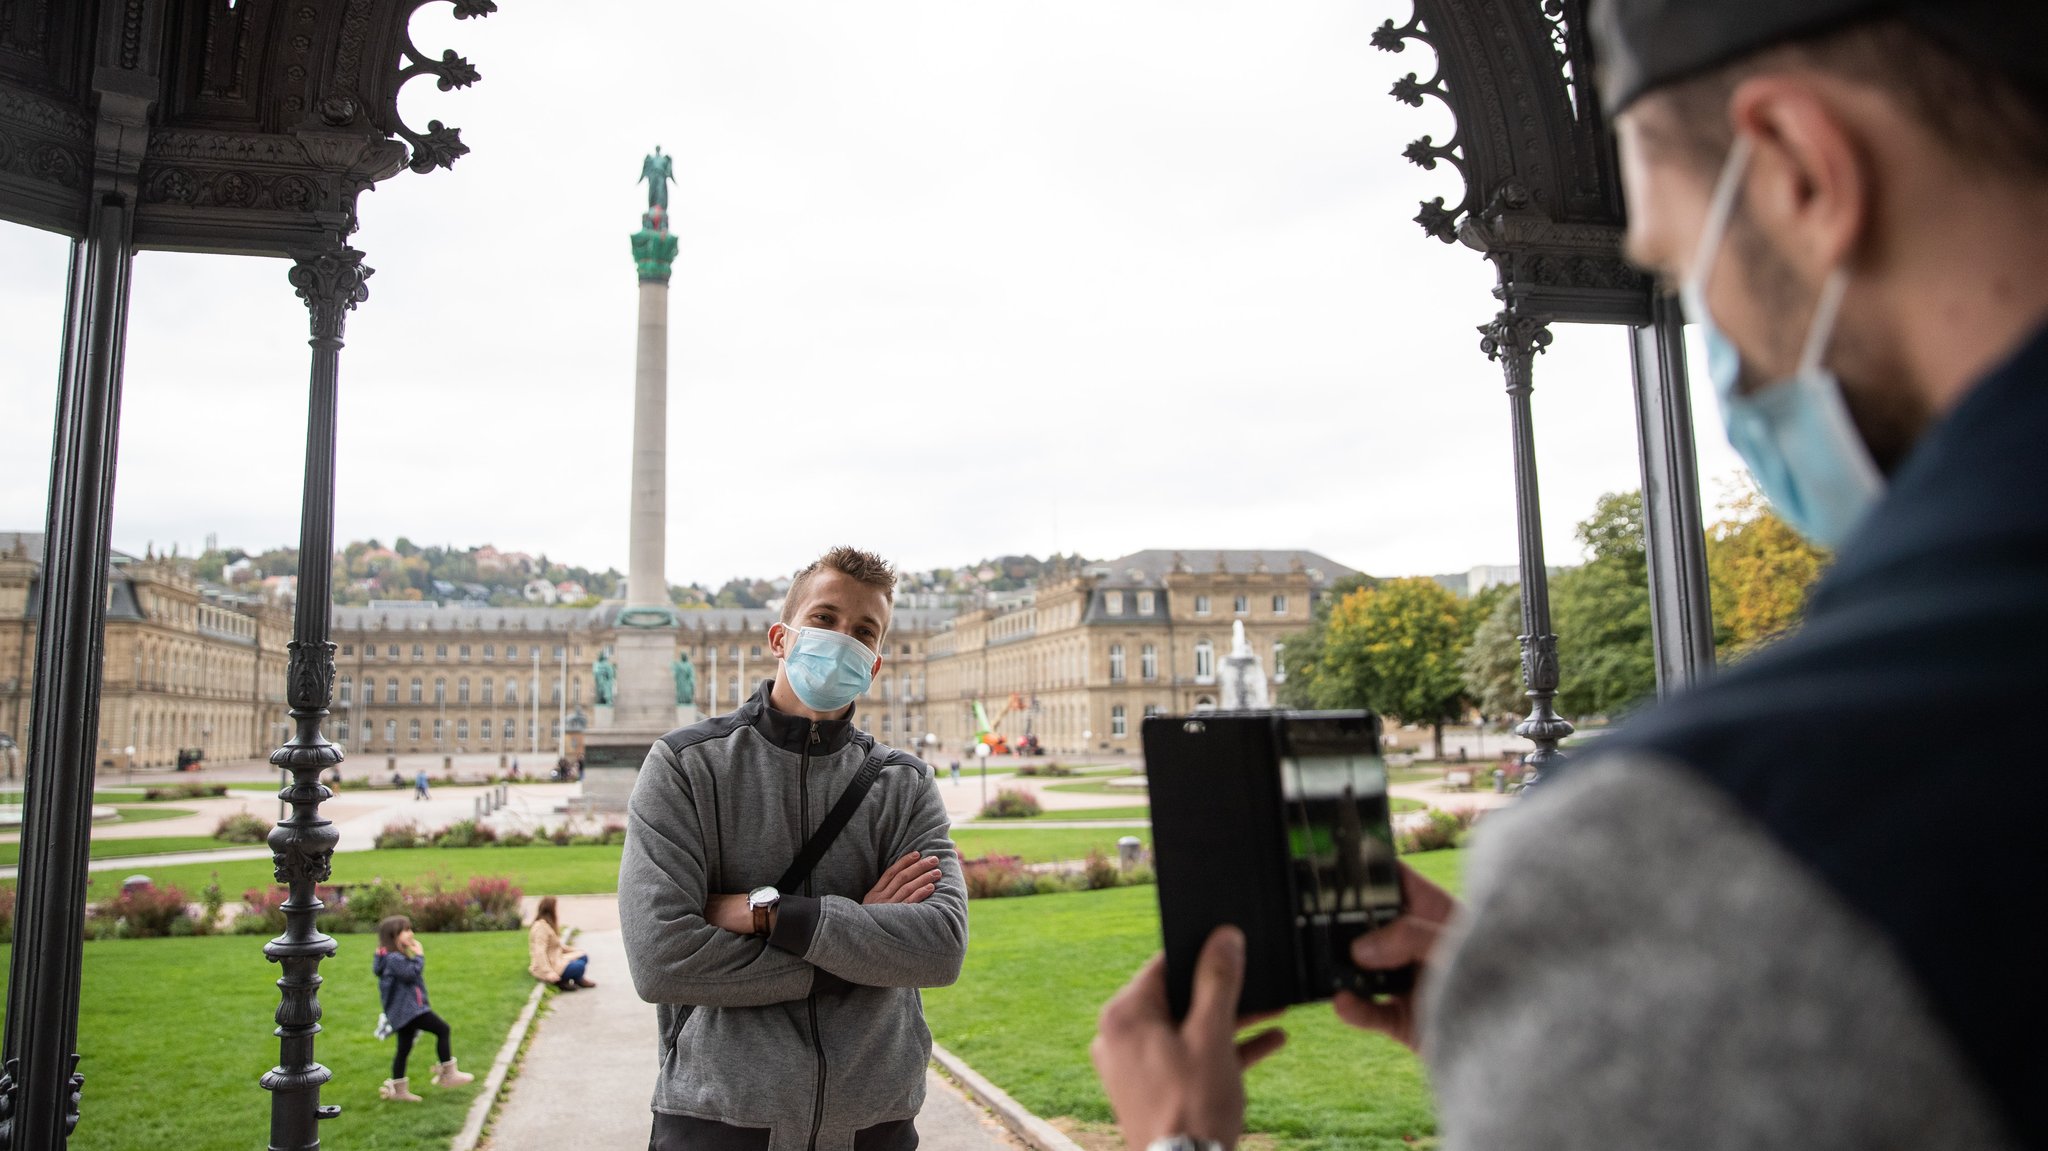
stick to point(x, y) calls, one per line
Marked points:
point(1039, 970)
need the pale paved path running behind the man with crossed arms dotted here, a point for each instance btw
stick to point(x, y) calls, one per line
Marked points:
point(593, 1062)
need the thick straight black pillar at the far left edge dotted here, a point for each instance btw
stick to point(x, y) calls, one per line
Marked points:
point(40, 1084)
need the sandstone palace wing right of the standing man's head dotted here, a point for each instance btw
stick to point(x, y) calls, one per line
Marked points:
point(1091, 652)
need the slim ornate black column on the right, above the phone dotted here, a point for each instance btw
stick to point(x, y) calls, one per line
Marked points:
point(1517, 341)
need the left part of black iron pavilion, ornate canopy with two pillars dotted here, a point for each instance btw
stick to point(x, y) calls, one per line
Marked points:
point(202, 126)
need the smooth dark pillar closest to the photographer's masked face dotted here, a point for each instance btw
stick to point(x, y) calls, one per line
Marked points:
point(1682, 620)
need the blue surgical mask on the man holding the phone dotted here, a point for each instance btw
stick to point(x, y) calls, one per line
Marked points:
point(1795, 435)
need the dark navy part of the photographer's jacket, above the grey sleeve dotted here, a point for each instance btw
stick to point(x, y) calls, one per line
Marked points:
point(1893, 742)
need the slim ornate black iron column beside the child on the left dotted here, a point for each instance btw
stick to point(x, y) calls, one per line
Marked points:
point(302, 847)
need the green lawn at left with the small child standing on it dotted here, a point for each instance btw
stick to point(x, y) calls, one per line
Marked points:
point(175, 1035)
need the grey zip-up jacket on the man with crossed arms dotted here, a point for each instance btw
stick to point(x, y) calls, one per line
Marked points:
point(816, 1033)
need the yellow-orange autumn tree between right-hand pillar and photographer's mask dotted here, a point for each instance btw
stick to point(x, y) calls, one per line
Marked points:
point(1758, 572)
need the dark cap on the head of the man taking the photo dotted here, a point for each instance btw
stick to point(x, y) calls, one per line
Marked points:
point(1648, 44)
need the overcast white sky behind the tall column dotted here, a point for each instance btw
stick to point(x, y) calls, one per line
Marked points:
point(955, 282)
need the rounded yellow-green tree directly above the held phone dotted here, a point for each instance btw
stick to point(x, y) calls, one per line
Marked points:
point(1396, 648)
